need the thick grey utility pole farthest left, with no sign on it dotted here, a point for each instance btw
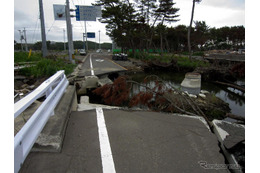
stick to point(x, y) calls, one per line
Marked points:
point(44, 45)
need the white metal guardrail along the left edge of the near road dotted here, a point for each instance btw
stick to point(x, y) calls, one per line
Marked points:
point(53, 88)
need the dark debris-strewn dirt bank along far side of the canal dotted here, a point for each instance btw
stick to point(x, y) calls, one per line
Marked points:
point(218, 70)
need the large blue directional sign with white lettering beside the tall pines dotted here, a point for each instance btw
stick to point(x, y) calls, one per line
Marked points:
point(87, 13)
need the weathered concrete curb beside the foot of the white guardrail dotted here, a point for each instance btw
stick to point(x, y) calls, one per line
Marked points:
point(51, 137)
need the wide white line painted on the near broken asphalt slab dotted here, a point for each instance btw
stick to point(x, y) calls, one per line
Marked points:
point(105, 149)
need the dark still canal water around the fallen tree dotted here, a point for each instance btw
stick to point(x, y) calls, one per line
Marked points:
point(233, 97)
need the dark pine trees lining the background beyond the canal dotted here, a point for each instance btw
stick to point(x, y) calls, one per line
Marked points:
point(142, 25)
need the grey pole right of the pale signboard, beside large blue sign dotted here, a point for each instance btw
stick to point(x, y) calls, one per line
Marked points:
point(69, 31)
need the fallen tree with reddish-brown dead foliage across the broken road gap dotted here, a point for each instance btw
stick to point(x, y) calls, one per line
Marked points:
point(163, 98)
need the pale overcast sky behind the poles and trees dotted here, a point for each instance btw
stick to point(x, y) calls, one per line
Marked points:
point(216, 13)
